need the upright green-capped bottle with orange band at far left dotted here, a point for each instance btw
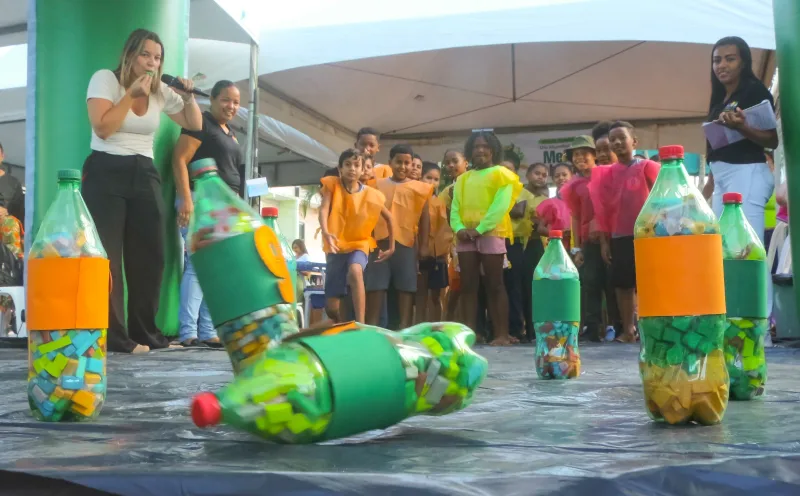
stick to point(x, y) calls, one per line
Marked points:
point(67, 310)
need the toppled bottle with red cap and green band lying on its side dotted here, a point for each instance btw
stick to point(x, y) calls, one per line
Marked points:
point(334, 383)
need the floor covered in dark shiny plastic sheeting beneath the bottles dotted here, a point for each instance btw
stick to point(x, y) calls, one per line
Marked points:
point(522, 436)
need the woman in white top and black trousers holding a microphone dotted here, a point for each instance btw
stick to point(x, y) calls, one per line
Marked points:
point(122, 188)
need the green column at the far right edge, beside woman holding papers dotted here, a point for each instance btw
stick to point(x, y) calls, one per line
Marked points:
point(787, 38)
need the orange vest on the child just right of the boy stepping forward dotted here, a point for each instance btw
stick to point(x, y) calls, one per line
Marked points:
point(405, 201)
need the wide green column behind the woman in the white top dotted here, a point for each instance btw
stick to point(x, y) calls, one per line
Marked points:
point(68, 41)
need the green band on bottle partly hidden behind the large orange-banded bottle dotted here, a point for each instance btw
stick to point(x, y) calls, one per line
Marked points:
point(746, 288)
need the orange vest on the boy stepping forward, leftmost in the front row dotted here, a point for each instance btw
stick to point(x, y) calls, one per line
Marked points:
point(353, 216)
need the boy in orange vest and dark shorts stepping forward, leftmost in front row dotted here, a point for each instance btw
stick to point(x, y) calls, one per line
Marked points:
point(348, 215)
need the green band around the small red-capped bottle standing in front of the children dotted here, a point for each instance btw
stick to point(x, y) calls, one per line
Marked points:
point(556, 300)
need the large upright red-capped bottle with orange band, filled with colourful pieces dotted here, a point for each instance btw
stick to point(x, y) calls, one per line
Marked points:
point(681, 300)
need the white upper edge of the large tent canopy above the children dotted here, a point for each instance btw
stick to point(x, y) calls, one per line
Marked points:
point(336, 31)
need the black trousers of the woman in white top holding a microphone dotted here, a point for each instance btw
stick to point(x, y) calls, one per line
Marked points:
point(123, 194)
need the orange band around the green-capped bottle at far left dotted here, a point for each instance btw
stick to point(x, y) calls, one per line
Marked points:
point(67, 293)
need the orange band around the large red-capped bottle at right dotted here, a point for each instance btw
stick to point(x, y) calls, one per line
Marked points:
point(680, 275)
